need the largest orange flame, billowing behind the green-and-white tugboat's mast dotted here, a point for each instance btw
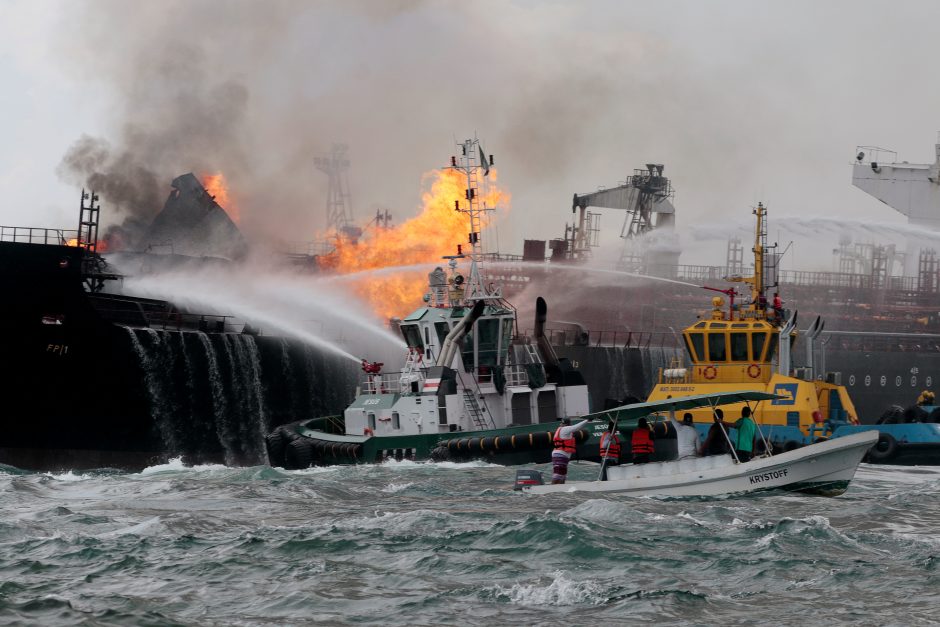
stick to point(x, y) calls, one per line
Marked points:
point(424, 239)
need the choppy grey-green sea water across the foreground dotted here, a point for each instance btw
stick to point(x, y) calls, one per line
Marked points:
point(431, 544)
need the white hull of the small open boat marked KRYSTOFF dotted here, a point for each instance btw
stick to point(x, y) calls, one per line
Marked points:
point(824, 468)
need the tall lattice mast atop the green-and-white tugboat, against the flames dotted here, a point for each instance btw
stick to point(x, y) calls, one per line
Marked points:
point(473, 164)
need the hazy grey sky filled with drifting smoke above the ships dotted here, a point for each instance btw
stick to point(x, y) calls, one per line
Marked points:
point(742, 101)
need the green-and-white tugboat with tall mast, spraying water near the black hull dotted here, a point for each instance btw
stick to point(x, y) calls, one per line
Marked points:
point(471, 386)
